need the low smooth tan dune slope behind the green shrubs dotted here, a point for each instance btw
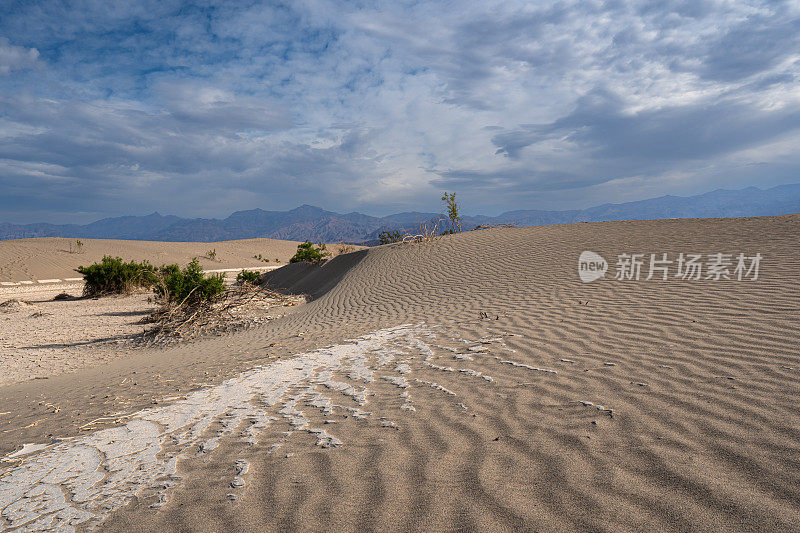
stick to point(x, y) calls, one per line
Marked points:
point(50, 257)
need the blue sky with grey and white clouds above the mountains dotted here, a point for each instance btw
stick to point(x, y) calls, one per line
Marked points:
point(110, 108)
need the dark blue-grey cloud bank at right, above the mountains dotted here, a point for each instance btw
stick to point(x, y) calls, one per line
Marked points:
point(601, 127)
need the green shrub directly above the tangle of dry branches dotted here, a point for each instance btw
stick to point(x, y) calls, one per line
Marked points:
point(188, 285)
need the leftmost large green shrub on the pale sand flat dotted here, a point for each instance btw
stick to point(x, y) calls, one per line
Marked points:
point(112, 275)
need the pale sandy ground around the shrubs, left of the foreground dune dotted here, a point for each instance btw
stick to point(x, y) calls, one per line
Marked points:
point(41, 338)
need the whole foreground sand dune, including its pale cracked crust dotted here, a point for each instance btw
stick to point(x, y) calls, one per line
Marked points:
point(472, 382)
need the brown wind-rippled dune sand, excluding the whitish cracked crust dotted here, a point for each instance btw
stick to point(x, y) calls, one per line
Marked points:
point(671, 405)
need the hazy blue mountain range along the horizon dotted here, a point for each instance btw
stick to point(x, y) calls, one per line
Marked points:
point(318, 225)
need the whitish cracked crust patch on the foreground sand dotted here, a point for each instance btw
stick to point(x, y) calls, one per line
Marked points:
point(81, 481)
